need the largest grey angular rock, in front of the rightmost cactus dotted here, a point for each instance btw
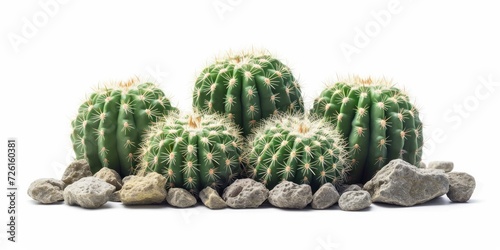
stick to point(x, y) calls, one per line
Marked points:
point(403, 184)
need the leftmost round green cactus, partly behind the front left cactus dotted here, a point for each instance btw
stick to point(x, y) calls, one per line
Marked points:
point(110, 123)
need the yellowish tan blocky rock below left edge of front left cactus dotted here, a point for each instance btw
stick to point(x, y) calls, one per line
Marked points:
point(143, 190)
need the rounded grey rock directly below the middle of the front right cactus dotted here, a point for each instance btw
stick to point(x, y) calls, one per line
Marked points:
point(290, 195)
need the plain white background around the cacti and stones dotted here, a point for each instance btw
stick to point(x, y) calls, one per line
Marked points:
point(442, 52)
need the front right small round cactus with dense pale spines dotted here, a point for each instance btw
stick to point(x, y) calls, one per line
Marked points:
point(298, 149)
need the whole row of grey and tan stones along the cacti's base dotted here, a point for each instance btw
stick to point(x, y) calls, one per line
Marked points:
point(398, 183)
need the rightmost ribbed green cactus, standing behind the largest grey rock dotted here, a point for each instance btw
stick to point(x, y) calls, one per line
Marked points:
point(378, 121)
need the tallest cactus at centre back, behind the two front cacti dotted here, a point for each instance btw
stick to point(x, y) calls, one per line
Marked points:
point(246, 88)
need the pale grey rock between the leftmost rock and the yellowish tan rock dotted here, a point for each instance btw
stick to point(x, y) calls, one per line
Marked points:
point(88, 192)
